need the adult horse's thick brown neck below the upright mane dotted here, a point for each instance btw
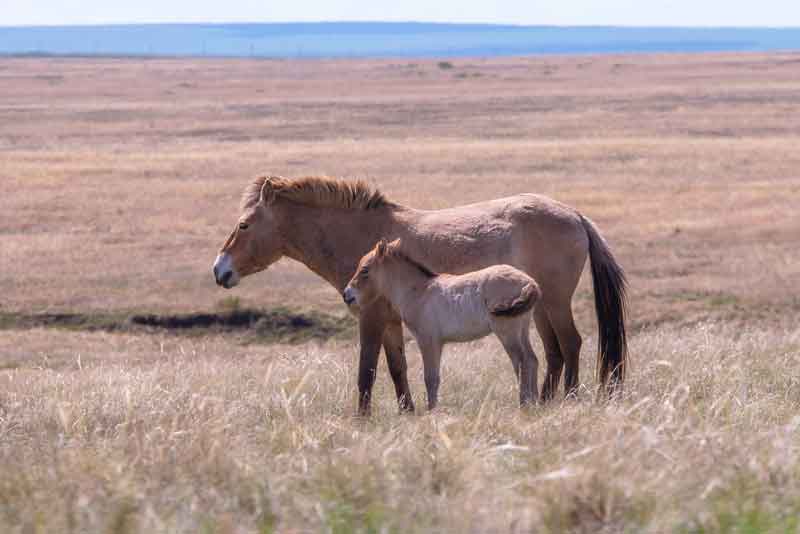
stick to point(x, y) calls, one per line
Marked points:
point(331, 242)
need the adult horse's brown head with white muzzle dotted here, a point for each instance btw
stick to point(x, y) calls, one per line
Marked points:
point(255, 243)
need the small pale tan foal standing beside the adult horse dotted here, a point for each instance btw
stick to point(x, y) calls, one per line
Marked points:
point(440, 308)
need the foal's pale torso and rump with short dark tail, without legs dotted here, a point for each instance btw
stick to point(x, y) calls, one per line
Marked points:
point(466, 307)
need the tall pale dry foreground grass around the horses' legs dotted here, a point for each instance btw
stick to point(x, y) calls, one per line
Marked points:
point(115, 433)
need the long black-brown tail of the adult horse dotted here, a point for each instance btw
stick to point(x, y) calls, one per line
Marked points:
point(610, 286)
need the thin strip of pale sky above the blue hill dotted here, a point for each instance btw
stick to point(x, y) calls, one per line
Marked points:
point(558, 12)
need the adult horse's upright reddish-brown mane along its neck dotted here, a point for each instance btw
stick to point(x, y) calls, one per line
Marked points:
point(318, 191)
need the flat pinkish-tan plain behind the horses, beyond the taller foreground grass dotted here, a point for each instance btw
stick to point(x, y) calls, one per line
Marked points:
point(120, 182)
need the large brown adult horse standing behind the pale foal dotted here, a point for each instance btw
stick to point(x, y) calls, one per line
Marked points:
point(329, 224)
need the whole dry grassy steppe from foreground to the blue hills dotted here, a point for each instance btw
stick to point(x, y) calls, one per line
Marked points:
point(120, 179)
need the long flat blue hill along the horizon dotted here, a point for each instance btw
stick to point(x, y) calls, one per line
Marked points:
point(380, 39)
